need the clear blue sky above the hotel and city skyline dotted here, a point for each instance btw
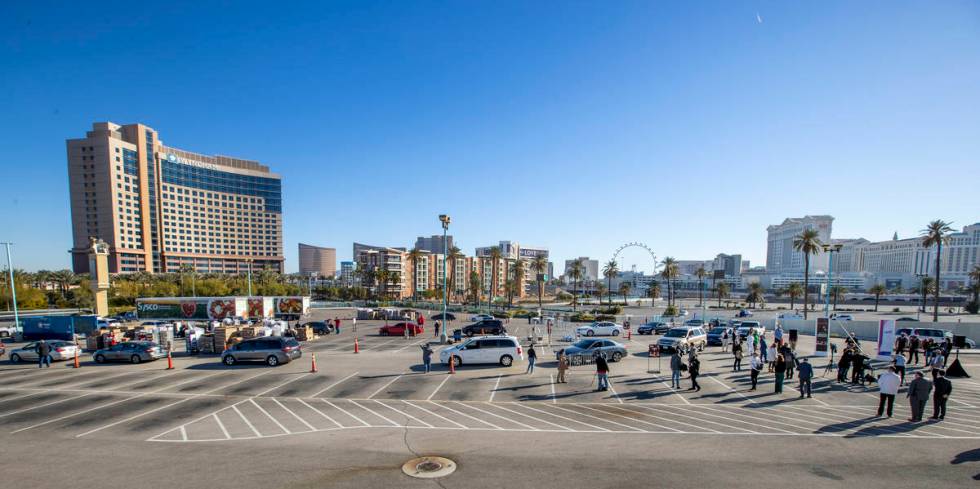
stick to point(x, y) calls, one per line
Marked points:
point(573, 125)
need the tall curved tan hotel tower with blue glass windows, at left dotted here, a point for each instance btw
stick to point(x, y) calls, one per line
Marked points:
point(160, 208)
